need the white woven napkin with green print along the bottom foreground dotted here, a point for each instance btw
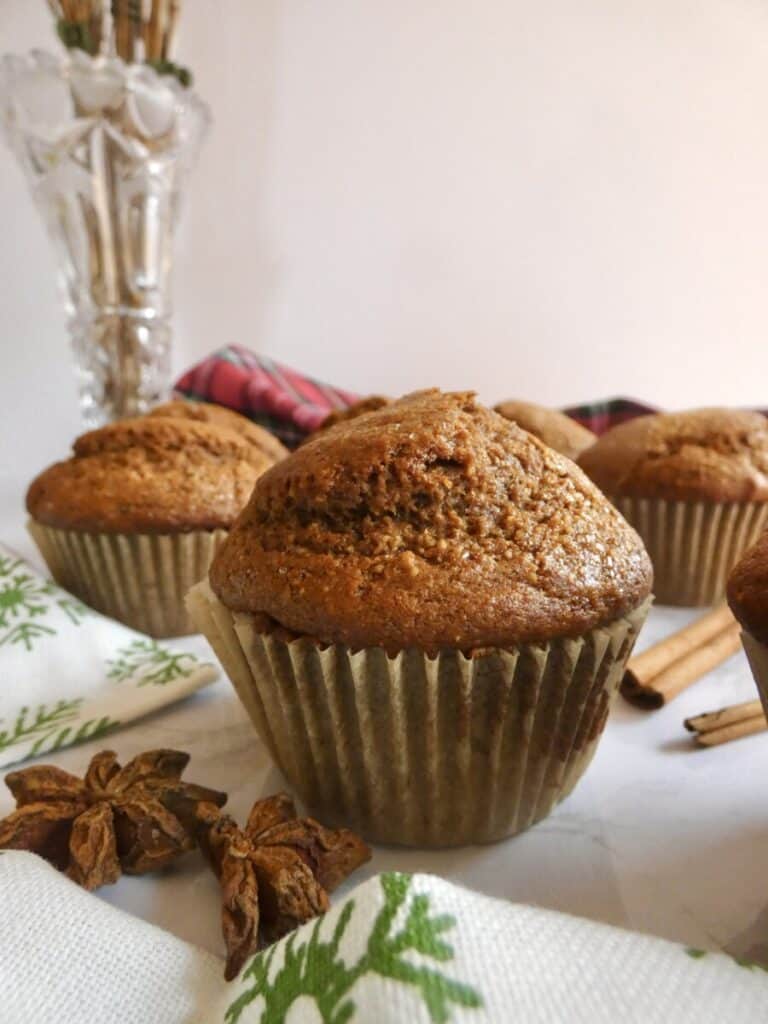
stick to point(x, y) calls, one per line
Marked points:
point(400, 949)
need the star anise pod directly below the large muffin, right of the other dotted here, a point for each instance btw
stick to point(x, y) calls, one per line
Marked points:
point(275, 874)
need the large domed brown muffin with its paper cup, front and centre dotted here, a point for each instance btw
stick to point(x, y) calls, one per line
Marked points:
point(426, 613)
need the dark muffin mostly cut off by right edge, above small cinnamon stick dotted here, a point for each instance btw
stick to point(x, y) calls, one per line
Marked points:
point(748, 598)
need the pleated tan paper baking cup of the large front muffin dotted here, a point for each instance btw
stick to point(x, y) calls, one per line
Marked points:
point(424, 751)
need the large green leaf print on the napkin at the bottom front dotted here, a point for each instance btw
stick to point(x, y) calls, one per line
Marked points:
point(315, 969)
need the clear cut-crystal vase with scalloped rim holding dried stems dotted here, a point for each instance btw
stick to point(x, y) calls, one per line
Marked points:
point(107, 149)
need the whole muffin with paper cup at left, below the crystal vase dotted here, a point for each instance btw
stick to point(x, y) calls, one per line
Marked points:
point(132, 521)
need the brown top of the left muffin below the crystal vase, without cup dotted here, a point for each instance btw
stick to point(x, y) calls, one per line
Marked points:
point(150, 475)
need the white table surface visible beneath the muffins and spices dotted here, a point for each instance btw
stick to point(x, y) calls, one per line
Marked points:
point(660, 837)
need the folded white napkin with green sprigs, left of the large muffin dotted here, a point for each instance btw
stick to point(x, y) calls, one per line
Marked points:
point(70, 674)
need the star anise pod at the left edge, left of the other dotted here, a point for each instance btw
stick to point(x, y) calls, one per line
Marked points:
point(112, 822)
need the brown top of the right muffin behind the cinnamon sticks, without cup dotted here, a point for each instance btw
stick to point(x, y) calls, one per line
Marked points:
point(716, 455)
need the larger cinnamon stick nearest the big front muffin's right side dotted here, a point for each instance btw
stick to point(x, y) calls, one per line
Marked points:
point(660, 674)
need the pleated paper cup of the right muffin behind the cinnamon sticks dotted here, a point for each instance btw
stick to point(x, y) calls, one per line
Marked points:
point(694, 545)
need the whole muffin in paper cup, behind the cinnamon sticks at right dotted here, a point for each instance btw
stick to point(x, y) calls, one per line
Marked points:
point(695, 486)
